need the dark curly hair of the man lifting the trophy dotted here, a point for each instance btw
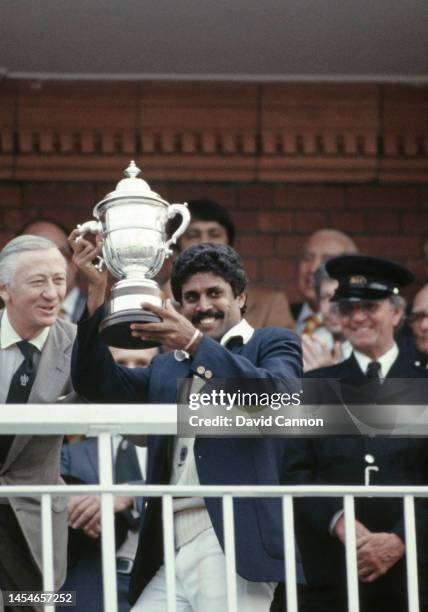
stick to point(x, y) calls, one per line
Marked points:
point(220, 259)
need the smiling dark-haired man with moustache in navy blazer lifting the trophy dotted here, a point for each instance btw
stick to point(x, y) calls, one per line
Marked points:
point(210, 339)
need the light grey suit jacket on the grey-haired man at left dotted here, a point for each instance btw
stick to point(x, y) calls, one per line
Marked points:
point(36, 459)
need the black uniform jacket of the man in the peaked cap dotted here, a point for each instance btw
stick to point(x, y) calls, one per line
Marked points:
point(342, 460)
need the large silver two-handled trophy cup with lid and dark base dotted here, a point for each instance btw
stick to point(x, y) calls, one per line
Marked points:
point(132, 221)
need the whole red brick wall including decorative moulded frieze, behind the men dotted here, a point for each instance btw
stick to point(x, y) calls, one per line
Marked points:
point(286, 159)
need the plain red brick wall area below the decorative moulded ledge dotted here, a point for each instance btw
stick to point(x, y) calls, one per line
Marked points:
point(272, 219)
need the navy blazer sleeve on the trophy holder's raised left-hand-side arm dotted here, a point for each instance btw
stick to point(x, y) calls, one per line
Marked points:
point(95, 374)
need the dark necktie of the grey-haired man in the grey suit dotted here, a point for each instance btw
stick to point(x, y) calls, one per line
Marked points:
point(19, 390)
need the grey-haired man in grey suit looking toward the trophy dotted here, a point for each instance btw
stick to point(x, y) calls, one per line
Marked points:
point(35, 353)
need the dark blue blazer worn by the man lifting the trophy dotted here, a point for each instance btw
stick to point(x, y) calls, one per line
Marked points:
point(270, 354)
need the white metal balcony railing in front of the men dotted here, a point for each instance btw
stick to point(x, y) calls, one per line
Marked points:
point(108, 420)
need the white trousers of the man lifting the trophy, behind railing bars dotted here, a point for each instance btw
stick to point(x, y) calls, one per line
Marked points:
point(200, 575)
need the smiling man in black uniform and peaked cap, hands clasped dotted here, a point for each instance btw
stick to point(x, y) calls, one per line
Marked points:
point(369, 308)
